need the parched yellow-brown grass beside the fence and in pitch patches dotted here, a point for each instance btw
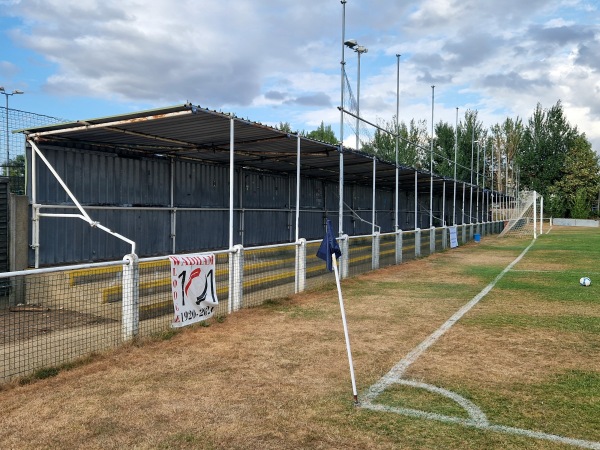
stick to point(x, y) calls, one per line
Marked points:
point(277, 377)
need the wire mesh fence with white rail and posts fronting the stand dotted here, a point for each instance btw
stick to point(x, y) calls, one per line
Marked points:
point(51, 317)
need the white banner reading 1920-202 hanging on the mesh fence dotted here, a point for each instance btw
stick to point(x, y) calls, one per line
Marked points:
point(193, 288)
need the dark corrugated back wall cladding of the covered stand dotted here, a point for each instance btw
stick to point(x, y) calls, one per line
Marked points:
point(265, 206)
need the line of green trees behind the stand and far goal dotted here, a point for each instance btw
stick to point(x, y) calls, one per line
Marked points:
point(546, 154)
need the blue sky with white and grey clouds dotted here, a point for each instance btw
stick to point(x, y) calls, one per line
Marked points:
point(278, 61)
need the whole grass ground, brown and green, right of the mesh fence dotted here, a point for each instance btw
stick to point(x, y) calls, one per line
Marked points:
point(276, 377)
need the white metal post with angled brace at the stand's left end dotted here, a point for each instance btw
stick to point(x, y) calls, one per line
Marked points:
point(84, 215)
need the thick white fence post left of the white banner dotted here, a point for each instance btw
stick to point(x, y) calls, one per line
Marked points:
point(131, 297)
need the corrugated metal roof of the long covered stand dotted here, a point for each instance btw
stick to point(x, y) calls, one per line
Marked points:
point(192, 132)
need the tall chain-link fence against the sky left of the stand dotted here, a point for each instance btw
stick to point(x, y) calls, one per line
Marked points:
point(12, 145)
